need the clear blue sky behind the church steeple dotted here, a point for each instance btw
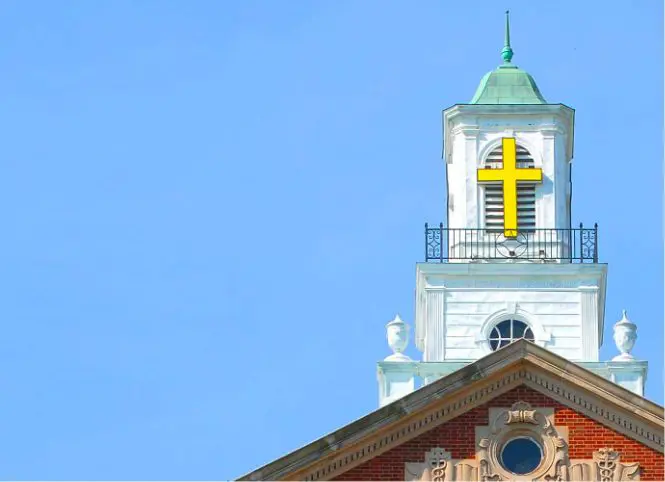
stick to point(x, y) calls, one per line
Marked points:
point(212, 208)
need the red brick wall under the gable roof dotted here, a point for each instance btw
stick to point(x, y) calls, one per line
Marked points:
point(457, 436)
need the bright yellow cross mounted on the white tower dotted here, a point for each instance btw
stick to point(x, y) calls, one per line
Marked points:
point(510, 175)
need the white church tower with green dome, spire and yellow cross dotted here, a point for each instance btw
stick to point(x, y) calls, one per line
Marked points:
point(508, 264)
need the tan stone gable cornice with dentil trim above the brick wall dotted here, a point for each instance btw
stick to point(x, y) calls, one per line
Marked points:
point(520, 363)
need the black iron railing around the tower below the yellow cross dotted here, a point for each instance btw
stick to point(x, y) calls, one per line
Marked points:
point(577, 245)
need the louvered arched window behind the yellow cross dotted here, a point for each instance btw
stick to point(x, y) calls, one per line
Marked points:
point(526, 194)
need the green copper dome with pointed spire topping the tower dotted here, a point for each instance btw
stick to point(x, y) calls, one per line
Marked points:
point(507, 84)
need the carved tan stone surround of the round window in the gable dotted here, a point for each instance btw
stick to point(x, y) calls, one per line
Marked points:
point(521, 421)
